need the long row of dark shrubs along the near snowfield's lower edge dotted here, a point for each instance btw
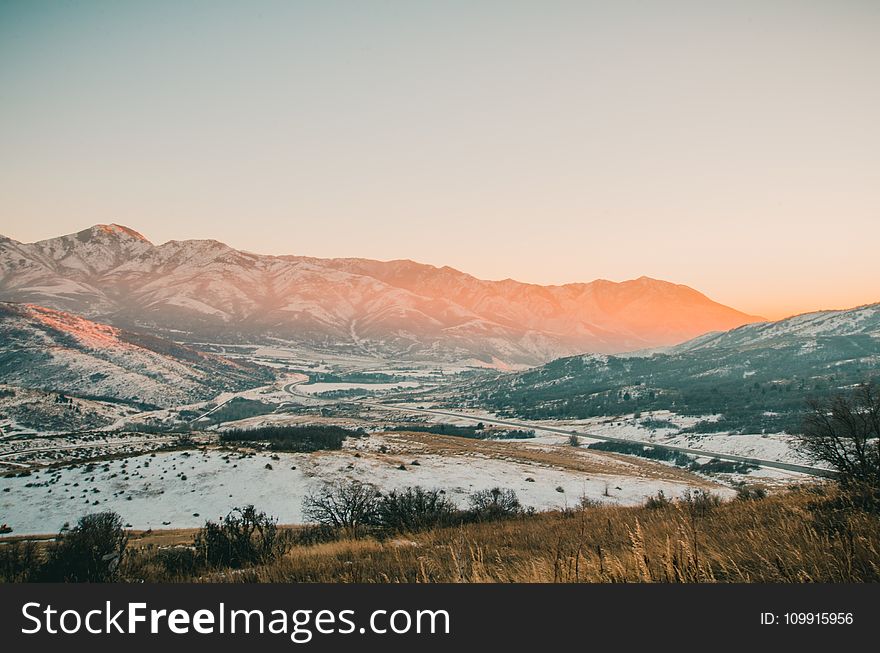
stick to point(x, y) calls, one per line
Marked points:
point(95, 550)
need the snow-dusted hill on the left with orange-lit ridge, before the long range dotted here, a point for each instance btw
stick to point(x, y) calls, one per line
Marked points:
point(48, 349)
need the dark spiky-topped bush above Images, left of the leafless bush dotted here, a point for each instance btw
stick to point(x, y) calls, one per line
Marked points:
point(244, 537)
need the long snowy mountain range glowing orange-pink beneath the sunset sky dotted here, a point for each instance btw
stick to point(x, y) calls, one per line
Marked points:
point(209, 290)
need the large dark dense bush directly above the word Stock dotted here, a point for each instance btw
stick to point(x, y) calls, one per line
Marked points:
point(89, 552)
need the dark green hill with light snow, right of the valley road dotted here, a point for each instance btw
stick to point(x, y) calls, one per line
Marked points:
point(757, 376)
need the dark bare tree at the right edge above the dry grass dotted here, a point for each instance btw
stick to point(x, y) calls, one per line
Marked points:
point(843, 432)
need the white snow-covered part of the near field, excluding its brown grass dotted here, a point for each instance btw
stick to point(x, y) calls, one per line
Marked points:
point(183, 489)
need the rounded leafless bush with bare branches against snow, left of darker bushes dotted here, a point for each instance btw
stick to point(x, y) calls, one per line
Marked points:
point(342, 504)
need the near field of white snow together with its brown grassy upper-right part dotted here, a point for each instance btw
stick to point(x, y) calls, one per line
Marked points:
point(182, 488)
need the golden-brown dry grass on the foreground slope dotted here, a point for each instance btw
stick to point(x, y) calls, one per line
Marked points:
point(799, 536)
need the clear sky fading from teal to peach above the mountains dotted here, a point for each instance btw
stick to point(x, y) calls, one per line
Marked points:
point(732, 147)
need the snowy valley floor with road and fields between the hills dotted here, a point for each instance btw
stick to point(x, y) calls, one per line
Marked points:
point(167, 467)
